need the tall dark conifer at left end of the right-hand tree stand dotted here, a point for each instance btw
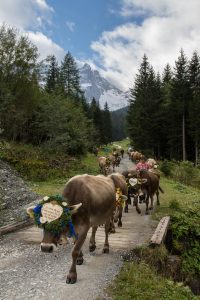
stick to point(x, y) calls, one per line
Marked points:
point(143, 116)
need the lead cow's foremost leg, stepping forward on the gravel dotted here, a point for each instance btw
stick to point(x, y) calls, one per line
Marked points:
point(72, 276)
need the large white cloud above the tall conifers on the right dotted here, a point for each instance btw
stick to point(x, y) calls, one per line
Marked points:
point(164, 28)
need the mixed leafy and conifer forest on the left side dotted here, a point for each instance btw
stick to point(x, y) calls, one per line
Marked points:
point(41, 102)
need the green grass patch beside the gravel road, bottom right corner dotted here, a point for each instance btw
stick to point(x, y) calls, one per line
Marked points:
point(141, 282)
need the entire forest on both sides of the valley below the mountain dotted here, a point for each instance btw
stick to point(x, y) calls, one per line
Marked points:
point(41, 103)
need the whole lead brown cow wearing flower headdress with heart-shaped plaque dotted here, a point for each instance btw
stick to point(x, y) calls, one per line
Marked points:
point(87, 201)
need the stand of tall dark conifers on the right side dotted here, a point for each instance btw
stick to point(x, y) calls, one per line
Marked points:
point(163, 116)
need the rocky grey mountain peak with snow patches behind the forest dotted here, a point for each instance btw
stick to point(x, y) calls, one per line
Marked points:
point(94, 85)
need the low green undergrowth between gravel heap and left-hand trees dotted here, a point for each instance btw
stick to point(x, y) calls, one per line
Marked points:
point(34, 163)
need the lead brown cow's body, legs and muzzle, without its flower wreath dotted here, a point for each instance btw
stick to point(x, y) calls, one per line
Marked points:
point(92, 202)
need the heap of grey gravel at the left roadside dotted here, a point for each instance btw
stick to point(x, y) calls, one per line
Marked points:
point(14, 196)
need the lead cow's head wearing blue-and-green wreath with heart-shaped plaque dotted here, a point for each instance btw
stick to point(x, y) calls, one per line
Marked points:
point(55, 219)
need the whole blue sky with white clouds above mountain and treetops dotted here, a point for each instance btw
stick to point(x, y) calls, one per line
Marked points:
point(111, 35)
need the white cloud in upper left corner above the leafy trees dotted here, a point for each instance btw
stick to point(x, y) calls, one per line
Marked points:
point(31, 16)
